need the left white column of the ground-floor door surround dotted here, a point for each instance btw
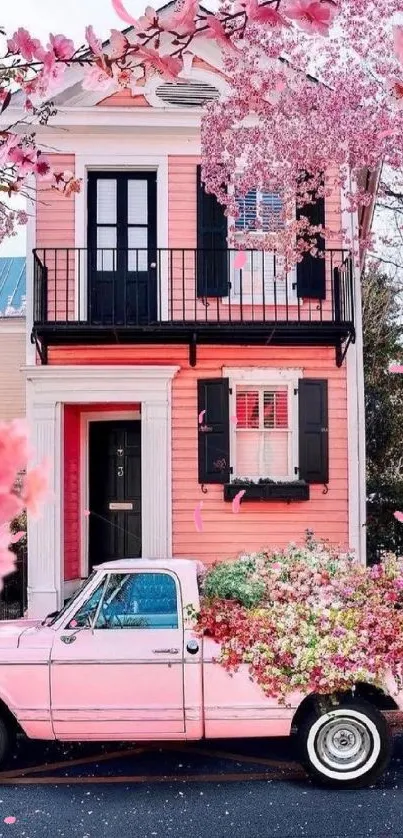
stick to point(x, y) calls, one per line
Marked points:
point(44, 534)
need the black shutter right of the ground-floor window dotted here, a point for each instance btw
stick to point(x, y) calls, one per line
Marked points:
point(313, 430)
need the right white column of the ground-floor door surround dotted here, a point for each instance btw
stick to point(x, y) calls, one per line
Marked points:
point(156, 479)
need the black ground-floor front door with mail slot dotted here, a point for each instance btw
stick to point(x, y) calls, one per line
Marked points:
point(114, 491)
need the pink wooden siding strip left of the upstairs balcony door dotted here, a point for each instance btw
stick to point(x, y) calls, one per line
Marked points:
point(55, 228)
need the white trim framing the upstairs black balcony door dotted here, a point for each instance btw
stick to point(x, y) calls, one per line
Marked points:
point(87, 162)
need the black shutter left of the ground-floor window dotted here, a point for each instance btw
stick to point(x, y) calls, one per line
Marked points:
point(213, 430)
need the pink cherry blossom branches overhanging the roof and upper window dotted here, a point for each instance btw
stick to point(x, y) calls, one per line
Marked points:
point(314, 86)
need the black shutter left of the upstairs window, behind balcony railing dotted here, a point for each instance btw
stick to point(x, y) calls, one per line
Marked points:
point(212, 252)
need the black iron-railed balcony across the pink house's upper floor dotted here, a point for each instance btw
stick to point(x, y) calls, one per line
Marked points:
point(189, 296)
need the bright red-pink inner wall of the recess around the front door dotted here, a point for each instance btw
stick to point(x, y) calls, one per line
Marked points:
point(85, 419)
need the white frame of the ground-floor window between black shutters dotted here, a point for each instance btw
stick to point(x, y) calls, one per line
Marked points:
point(266, 377)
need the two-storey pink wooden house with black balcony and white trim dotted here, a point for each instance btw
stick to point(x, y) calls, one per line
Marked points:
point(149, 341)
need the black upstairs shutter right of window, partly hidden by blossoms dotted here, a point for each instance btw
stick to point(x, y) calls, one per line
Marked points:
point(311, 272)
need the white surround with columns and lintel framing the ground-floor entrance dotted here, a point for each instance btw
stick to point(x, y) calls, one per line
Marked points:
point(48, 389)
